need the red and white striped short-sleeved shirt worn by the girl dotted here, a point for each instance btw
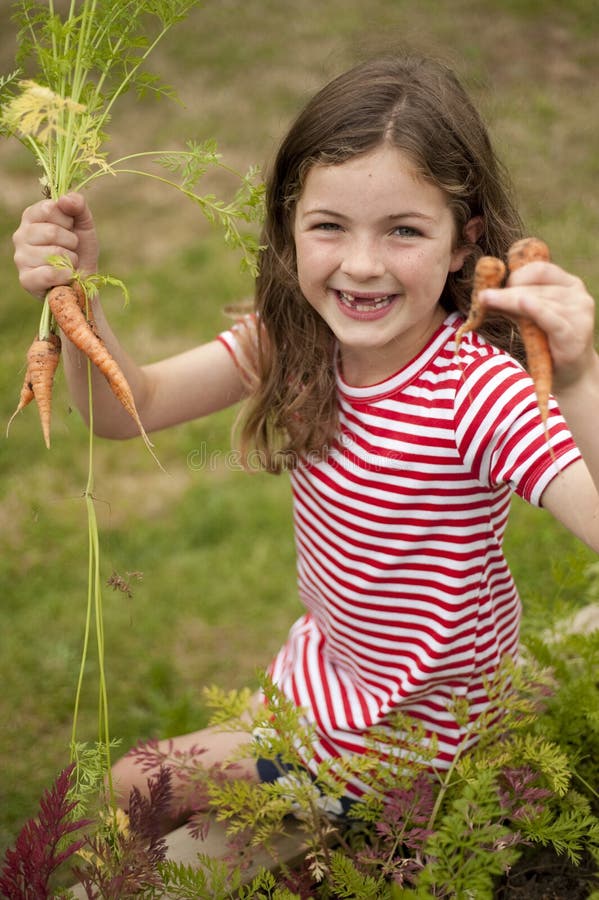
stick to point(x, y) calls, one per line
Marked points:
point(409, 600)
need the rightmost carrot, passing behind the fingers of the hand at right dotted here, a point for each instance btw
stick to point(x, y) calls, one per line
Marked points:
point(538, 356)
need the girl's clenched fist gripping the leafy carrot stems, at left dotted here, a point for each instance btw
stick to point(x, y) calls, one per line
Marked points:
point(63, 227)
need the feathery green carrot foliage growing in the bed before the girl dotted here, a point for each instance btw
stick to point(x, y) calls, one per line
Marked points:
point(419, 833)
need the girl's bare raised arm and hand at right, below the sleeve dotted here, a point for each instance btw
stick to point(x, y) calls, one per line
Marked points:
point(561, 306)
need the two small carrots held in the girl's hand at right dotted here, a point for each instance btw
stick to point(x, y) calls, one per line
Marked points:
point(489, 273)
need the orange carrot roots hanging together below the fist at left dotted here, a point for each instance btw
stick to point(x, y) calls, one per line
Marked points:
point(69, 307)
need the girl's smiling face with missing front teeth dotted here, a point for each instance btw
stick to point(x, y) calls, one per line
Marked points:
point(374, 244)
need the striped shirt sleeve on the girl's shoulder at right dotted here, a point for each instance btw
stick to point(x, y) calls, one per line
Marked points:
point(499, 431)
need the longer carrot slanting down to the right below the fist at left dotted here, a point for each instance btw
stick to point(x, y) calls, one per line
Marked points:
point(67, 304)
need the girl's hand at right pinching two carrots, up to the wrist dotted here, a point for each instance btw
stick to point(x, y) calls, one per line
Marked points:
point(560, 305)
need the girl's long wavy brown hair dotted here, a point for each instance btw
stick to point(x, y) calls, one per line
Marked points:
point(419, 106)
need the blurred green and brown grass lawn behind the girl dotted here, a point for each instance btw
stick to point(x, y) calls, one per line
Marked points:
point(214, 545)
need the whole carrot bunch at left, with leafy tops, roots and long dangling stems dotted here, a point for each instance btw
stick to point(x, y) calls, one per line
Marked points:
point(72, 66)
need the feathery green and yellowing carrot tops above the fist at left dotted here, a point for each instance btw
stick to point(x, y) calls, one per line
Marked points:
point(58, 103)
